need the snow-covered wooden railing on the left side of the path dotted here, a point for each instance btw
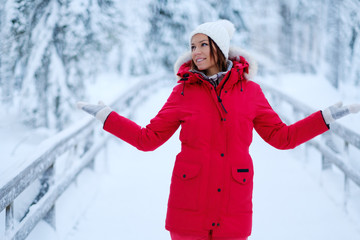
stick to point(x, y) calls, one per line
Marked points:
point(82, 142)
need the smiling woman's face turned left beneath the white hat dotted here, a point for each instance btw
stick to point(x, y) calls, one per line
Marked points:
point(200, 54)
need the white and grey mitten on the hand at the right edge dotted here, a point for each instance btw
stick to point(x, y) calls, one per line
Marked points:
point(336, 111)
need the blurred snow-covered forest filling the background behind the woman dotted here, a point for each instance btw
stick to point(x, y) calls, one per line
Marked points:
point(51, 50)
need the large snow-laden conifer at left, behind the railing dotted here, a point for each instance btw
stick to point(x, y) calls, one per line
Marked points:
point(50, 49)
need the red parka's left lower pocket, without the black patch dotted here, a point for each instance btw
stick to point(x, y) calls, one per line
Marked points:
point(185, 184)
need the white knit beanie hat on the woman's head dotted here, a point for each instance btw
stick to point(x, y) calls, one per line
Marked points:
point(220, 31)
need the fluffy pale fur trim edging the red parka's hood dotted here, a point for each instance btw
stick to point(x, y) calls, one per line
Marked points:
point(234, 54)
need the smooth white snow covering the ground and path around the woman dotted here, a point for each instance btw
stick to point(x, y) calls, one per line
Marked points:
point(126, 196)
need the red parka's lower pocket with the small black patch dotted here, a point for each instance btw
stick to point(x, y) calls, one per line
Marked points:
point(241, 186)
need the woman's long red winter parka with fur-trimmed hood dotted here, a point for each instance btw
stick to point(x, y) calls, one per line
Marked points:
point(212, 182)
